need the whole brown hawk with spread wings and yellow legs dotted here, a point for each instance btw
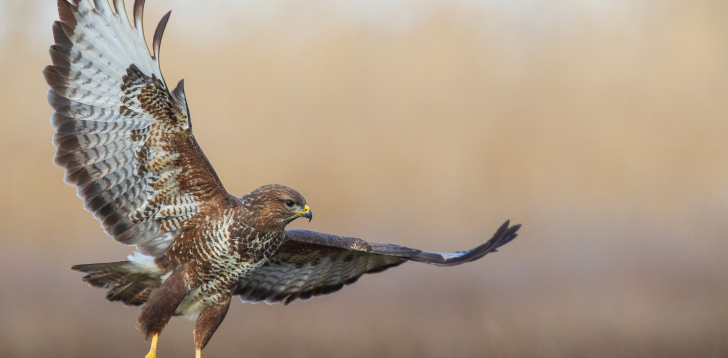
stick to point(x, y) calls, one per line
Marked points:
point(125, 140)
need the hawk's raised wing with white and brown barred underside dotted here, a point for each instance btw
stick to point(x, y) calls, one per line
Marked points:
point(123, 137)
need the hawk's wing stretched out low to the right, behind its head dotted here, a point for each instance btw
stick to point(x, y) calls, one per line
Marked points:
point(312, 264)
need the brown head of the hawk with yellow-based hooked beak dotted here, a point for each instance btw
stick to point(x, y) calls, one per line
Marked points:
point(279, 203)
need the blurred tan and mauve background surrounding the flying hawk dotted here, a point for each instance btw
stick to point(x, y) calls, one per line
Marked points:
point(600, 126)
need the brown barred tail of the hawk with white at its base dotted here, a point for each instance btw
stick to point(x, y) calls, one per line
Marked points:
point(132, 282)
